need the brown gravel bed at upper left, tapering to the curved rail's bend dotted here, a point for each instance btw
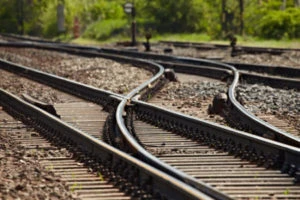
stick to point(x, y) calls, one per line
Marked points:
point(102, 73)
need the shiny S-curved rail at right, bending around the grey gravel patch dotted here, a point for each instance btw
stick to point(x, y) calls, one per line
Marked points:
point(245, 118)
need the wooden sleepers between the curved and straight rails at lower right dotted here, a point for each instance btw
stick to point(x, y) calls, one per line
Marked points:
point(236, 177)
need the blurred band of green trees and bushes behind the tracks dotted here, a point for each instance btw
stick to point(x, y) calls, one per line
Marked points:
point(104, 19)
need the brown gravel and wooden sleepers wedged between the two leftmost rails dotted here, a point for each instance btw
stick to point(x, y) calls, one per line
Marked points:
point(86, 116)
